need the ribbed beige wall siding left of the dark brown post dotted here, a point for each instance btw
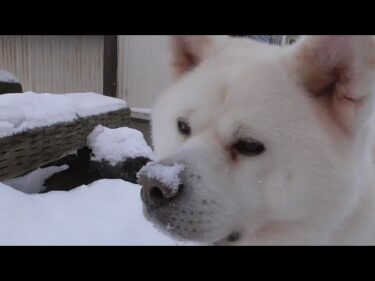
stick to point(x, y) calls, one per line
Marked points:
point(55, 64)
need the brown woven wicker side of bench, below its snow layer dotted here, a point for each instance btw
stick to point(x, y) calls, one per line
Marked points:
point(31, 149)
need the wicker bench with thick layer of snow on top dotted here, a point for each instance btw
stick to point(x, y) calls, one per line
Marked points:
point(36, 129)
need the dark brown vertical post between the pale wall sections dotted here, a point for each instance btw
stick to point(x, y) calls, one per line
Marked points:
point(110, 66)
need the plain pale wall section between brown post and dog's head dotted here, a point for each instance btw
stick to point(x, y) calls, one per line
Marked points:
point(143, 68)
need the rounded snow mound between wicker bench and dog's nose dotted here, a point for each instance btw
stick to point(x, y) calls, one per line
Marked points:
point(116, 145)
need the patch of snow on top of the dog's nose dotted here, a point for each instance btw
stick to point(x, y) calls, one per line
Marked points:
point(168, 175)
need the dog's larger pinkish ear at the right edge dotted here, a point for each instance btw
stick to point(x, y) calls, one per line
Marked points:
point(339, 69)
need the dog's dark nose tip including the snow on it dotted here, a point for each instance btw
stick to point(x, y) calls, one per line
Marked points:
point(160, 183)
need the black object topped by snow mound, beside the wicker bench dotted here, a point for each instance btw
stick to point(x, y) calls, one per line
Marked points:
point(110, 154)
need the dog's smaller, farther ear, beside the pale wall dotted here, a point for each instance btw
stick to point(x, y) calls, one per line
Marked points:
point(189, 51)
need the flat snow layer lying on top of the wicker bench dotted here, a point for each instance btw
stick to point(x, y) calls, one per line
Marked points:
point(19, 112)
